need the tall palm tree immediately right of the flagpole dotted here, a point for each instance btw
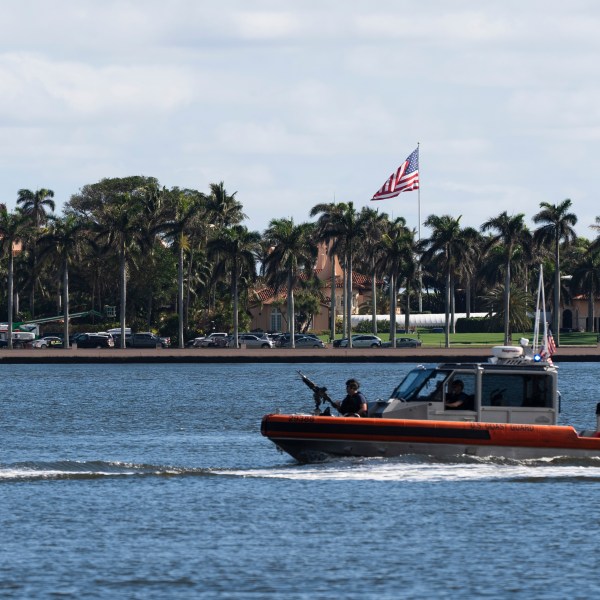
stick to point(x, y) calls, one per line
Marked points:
point(446, 245)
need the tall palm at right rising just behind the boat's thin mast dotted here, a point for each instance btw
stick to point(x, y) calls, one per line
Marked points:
point(556, 226)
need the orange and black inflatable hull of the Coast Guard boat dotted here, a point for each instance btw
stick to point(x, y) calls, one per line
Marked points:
point(308, 438)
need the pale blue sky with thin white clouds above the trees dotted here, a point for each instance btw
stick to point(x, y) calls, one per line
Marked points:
point(295, 103)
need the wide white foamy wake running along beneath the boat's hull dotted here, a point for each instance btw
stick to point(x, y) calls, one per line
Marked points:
point(426, 469)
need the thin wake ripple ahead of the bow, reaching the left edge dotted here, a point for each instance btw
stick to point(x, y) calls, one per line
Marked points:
point(28, 471)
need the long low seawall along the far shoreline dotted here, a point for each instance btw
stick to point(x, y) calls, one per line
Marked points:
point(282, 355)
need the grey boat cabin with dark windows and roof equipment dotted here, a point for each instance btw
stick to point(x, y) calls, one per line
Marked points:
point(507, 389)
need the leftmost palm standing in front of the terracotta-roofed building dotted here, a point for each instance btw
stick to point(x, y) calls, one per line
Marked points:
point(292, 251)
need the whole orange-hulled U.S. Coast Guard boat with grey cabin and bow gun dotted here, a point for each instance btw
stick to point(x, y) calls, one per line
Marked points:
point(512, 412)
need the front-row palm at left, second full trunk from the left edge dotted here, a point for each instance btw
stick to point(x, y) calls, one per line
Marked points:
point(64, 238)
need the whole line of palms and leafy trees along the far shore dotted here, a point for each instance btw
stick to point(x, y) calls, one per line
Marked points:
point(181, 261)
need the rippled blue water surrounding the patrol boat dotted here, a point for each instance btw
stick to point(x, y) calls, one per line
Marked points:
point(153, 481)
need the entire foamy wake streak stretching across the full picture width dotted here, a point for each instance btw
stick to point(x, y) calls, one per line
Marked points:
point(411, 468)
